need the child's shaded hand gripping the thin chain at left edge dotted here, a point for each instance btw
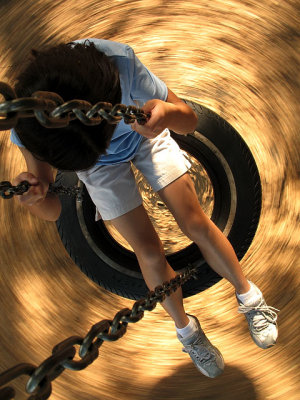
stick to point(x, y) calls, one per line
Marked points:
point(36, 193)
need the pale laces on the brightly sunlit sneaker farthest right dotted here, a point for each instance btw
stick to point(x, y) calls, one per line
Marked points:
point(260, 321)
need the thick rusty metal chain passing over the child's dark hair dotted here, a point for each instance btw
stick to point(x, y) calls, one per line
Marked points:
point(52, 112)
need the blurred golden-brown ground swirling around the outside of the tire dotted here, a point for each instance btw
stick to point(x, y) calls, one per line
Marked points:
point(241, 59)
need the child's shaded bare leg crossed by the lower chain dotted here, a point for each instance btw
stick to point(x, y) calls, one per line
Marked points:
point(136, 227)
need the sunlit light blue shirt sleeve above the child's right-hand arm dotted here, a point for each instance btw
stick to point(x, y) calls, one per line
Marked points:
point(145, 85)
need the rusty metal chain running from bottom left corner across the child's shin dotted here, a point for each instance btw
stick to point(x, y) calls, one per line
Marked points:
point(39, 384)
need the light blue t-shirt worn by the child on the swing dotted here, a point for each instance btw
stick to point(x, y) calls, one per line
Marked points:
point(138, 85)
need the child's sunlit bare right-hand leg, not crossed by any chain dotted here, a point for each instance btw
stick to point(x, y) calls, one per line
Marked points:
point(181, 199)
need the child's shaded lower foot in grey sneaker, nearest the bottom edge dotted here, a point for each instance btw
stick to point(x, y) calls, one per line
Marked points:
point(205, 356)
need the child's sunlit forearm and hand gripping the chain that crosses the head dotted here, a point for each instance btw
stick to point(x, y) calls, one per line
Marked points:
point(173, 114)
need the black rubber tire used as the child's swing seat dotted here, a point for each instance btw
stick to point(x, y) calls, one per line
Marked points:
point(237, 204)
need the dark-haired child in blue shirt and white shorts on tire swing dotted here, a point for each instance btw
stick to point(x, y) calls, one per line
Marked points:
point(101, 70)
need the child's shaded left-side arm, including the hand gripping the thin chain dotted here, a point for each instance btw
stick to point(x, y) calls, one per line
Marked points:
point(36, 199)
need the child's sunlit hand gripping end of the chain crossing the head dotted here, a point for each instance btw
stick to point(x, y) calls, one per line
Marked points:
point(158, 121)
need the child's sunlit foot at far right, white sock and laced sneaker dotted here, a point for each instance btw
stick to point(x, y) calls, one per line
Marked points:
point(261, 318)
